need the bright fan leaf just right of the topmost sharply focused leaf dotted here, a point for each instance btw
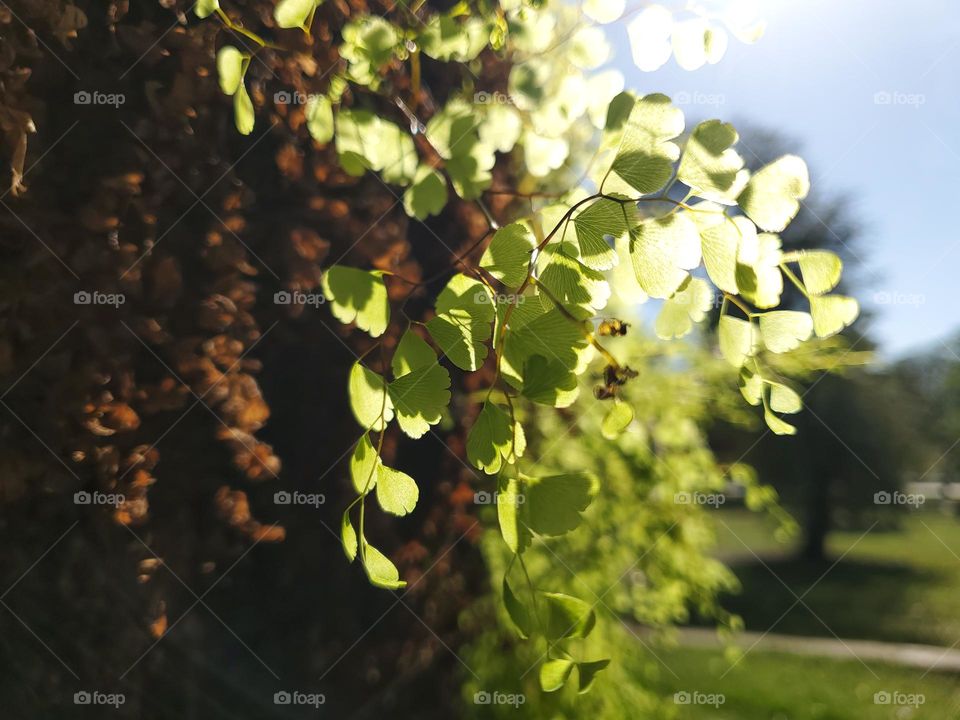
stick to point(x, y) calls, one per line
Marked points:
point(710, 166)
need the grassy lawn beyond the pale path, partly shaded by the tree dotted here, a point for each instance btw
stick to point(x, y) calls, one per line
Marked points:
point(900, 586)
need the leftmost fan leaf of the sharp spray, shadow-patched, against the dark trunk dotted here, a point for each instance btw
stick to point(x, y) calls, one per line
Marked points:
point(358, 296)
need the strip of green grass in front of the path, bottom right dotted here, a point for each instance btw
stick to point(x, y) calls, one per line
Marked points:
point(771, 686)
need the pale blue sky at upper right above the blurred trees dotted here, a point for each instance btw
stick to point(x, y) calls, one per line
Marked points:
point(815, 76)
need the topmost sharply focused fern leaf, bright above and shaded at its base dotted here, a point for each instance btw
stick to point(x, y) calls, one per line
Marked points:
point(645, 159)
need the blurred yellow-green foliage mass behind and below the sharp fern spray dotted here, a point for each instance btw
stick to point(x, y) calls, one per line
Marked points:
point(638, 556)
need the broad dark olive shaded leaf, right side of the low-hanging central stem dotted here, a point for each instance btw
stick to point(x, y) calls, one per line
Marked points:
point(554, 503)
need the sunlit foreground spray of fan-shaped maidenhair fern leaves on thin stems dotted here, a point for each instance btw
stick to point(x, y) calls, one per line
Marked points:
point(652, 213)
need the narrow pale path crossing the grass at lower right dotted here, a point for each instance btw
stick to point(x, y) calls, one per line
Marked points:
point(922, 657)
